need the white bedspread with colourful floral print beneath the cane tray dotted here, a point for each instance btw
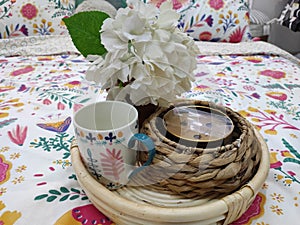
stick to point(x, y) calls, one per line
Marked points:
point(38, 95)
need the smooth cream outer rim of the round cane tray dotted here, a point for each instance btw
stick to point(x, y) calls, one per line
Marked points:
point(158, 213)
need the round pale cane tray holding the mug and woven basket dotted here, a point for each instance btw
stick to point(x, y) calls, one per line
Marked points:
point(144, 205)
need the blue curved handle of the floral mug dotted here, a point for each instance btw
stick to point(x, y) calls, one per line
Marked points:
point(147, 141)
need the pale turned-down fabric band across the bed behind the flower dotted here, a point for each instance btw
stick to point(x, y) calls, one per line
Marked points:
point(59, 44)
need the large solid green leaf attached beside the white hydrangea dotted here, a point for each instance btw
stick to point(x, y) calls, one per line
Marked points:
point(84, 28)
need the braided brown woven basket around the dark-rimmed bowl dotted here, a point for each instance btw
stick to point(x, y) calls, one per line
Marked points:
point(201, 171)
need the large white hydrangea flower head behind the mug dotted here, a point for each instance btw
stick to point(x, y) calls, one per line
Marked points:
point(147, 53)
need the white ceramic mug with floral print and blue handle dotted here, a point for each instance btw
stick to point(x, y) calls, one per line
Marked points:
point(108, 141)
